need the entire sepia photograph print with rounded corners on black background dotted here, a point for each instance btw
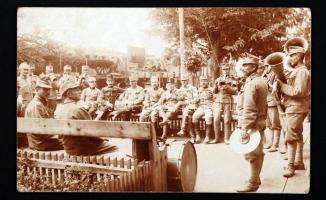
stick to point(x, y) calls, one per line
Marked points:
point(178, 99)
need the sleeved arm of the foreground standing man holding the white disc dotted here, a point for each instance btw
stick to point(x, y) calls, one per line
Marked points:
point(250, 110)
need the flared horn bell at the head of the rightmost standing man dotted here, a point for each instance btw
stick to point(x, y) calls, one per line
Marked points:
point(296, 45)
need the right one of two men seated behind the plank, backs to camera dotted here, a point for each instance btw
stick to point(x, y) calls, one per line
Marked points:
point(69, 109)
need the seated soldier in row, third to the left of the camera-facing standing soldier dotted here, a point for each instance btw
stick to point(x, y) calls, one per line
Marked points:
point(168, 105)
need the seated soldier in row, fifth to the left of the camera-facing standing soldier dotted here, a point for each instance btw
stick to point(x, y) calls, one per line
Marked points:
point(130, 101)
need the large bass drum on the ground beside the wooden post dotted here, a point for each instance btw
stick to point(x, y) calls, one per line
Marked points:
point(181, 166)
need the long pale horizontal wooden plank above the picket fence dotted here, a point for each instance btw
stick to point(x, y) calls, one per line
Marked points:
point(118, 129)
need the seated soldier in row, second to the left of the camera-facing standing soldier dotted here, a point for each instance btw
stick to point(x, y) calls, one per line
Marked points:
point(187, 103)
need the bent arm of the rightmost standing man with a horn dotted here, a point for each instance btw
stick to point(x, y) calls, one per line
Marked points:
point(300, 87)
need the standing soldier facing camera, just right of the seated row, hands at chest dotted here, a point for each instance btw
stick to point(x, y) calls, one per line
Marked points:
point(223, 103)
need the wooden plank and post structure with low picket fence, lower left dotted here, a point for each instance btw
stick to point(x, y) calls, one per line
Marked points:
point(144, 170)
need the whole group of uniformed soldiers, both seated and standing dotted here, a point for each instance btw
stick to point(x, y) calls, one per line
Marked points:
point(262, 100)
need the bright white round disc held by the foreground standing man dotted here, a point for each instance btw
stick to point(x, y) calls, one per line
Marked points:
point(240, 148)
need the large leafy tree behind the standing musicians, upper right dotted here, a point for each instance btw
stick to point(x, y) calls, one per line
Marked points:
point(220, 32)
